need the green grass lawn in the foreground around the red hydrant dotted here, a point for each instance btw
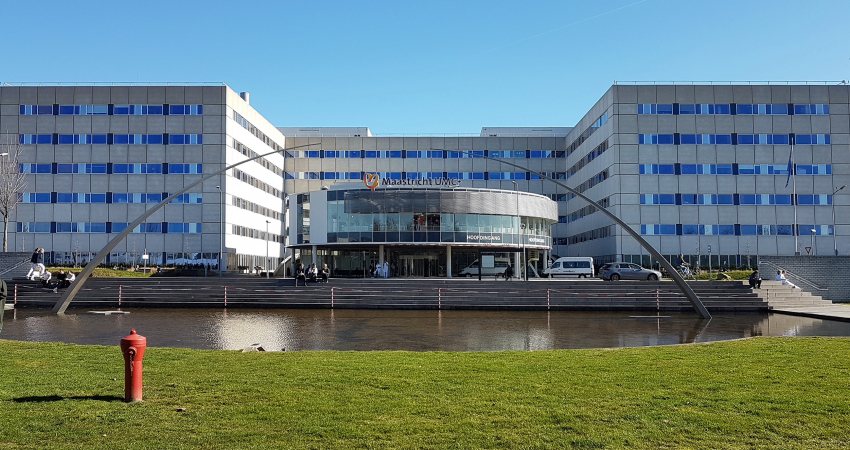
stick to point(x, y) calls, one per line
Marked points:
point(758, 393)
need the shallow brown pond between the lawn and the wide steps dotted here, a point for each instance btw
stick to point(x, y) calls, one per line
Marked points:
point(403, 330)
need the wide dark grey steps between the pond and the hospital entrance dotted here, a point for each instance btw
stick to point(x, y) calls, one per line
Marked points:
point(393, 293)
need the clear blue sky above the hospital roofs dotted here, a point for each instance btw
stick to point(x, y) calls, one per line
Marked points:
point(429, 66)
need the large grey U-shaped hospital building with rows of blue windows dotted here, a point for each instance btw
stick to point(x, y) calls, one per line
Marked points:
point(701, 170)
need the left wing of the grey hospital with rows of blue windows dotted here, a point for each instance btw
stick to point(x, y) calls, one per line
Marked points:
point(96, 157)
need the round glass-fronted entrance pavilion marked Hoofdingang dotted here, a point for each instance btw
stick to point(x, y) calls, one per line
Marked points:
point(419, 232)
